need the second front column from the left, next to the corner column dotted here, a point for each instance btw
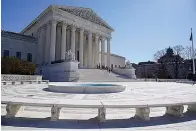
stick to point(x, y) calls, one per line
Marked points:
point(63, 41)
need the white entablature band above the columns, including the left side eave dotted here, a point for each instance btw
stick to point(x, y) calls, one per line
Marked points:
point(61, 15)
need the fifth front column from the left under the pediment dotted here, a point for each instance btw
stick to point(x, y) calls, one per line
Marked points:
point(89, 49)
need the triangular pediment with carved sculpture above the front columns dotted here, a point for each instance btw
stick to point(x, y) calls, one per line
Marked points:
point(85, 13)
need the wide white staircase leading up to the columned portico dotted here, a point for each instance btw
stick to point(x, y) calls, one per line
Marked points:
point(97, 75)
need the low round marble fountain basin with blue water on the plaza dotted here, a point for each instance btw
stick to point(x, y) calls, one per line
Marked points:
point(87, 88)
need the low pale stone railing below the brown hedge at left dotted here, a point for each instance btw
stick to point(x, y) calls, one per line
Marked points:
point(10, 77)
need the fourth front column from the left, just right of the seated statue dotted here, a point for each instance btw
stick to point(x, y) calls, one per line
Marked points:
point(81, 47)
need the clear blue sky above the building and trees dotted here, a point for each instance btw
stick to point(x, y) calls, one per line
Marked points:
point(141, 26)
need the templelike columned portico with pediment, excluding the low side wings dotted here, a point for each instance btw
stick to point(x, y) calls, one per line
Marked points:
point(61, 28)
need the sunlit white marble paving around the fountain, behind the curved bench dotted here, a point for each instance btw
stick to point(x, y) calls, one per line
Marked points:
point(134, 91)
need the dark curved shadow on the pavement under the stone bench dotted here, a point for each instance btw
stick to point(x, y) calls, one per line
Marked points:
point(92, 124)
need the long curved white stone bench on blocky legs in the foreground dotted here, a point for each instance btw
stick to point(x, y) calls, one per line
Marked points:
point(174, 108)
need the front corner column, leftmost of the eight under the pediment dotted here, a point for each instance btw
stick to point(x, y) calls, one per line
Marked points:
point(53, 41)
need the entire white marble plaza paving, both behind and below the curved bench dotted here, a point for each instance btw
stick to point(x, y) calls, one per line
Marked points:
point(116, 119)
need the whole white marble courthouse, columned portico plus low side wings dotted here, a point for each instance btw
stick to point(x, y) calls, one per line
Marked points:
point(59, 29)
